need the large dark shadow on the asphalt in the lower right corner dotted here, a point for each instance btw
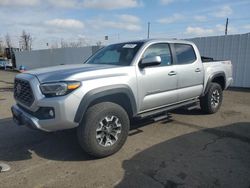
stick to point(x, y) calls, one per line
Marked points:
point(215, 157)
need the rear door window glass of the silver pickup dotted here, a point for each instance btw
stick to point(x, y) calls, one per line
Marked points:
point(185, 53)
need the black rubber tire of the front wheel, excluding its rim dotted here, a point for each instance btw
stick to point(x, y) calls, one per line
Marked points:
point(87, 129)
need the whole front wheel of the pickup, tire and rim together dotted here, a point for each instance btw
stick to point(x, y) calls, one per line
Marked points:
point(104, 129)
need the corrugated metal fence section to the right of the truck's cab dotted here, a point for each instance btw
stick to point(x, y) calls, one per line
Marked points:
point(232, 47)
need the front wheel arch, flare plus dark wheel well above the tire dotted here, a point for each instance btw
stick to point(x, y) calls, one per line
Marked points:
point(119, 94)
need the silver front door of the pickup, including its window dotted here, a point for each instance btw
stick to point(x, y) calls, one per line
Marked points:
point(157, 84)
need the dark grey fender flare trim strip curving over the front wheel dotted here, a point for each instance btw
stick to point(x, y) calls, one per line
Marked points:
point(102, 92)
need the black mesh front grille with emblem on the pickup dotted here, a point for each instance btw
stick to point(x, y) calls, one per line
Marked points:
point(23, 92)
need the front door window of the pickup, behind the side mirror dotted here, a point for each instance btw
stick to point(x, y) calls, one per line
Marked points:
point(161, 50)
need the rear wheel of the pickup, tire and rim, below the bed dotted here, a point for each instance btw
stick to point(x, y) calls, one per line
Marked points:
point(211, 102)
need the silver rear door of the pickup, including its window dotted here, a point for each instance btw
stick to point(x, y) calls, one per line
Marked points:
point(189, 70)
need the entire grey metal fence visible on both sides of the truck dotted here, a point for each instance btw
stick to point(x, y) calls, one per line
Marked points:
point(232, 47)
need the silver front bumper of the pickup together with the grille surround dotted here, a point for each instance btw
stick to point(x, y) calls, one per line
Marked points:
point(34, 115)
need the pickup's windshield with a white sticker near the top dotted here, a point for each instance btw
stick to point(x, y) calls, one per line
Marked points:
point(116, 54)
